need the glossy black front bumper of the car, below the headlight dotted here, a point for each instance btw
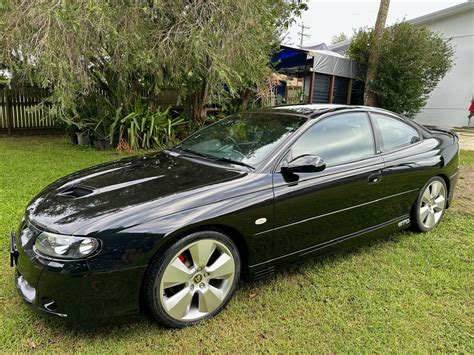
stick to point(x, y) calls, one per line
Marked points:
point(69, 290)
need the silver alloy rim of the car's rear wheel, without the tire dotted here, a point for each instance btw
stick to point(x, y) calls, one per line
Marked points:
point(433, 203)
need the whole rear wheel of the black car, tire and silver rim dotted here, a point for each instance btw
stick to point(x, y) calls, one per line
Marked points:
point(430, 205)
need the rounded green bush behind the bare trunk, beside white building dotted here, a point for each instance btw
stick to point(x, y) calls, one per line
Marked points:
point(412, 60)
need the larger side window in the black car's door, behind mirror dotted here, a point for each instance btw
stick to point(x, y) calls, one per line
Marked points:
point(338, 139)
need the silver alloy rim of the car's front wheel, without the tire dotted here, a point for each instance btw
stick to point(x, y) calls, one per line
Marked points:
point(197, 280)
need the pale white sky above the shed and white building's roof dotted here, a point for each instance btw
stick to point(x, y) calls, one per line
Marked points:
point(327, 18)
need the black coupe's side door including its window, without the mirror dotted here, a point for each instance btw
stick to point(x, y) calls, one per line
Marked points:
point(313, 209)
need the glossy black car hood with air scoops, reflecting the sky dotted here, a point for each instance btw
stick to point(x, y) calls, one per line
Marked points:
point(126, 192)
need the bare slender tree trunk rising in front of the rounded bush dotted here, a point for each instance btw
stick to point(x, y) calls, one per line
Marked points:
point(370, 98)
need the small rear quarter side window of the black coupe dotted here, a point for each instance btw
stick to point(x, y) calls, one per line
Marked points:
point(395, 134)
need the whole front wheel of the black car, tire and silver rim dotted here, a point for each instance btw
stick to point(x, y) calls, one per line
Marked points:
point(193, 279)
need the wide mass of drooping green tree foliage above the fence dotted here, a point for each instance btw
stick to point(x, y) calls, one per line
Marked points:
point(115, 52)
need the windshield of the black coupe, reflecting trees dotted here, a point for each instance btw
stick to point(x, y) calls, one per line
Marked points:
point(245, 138)
